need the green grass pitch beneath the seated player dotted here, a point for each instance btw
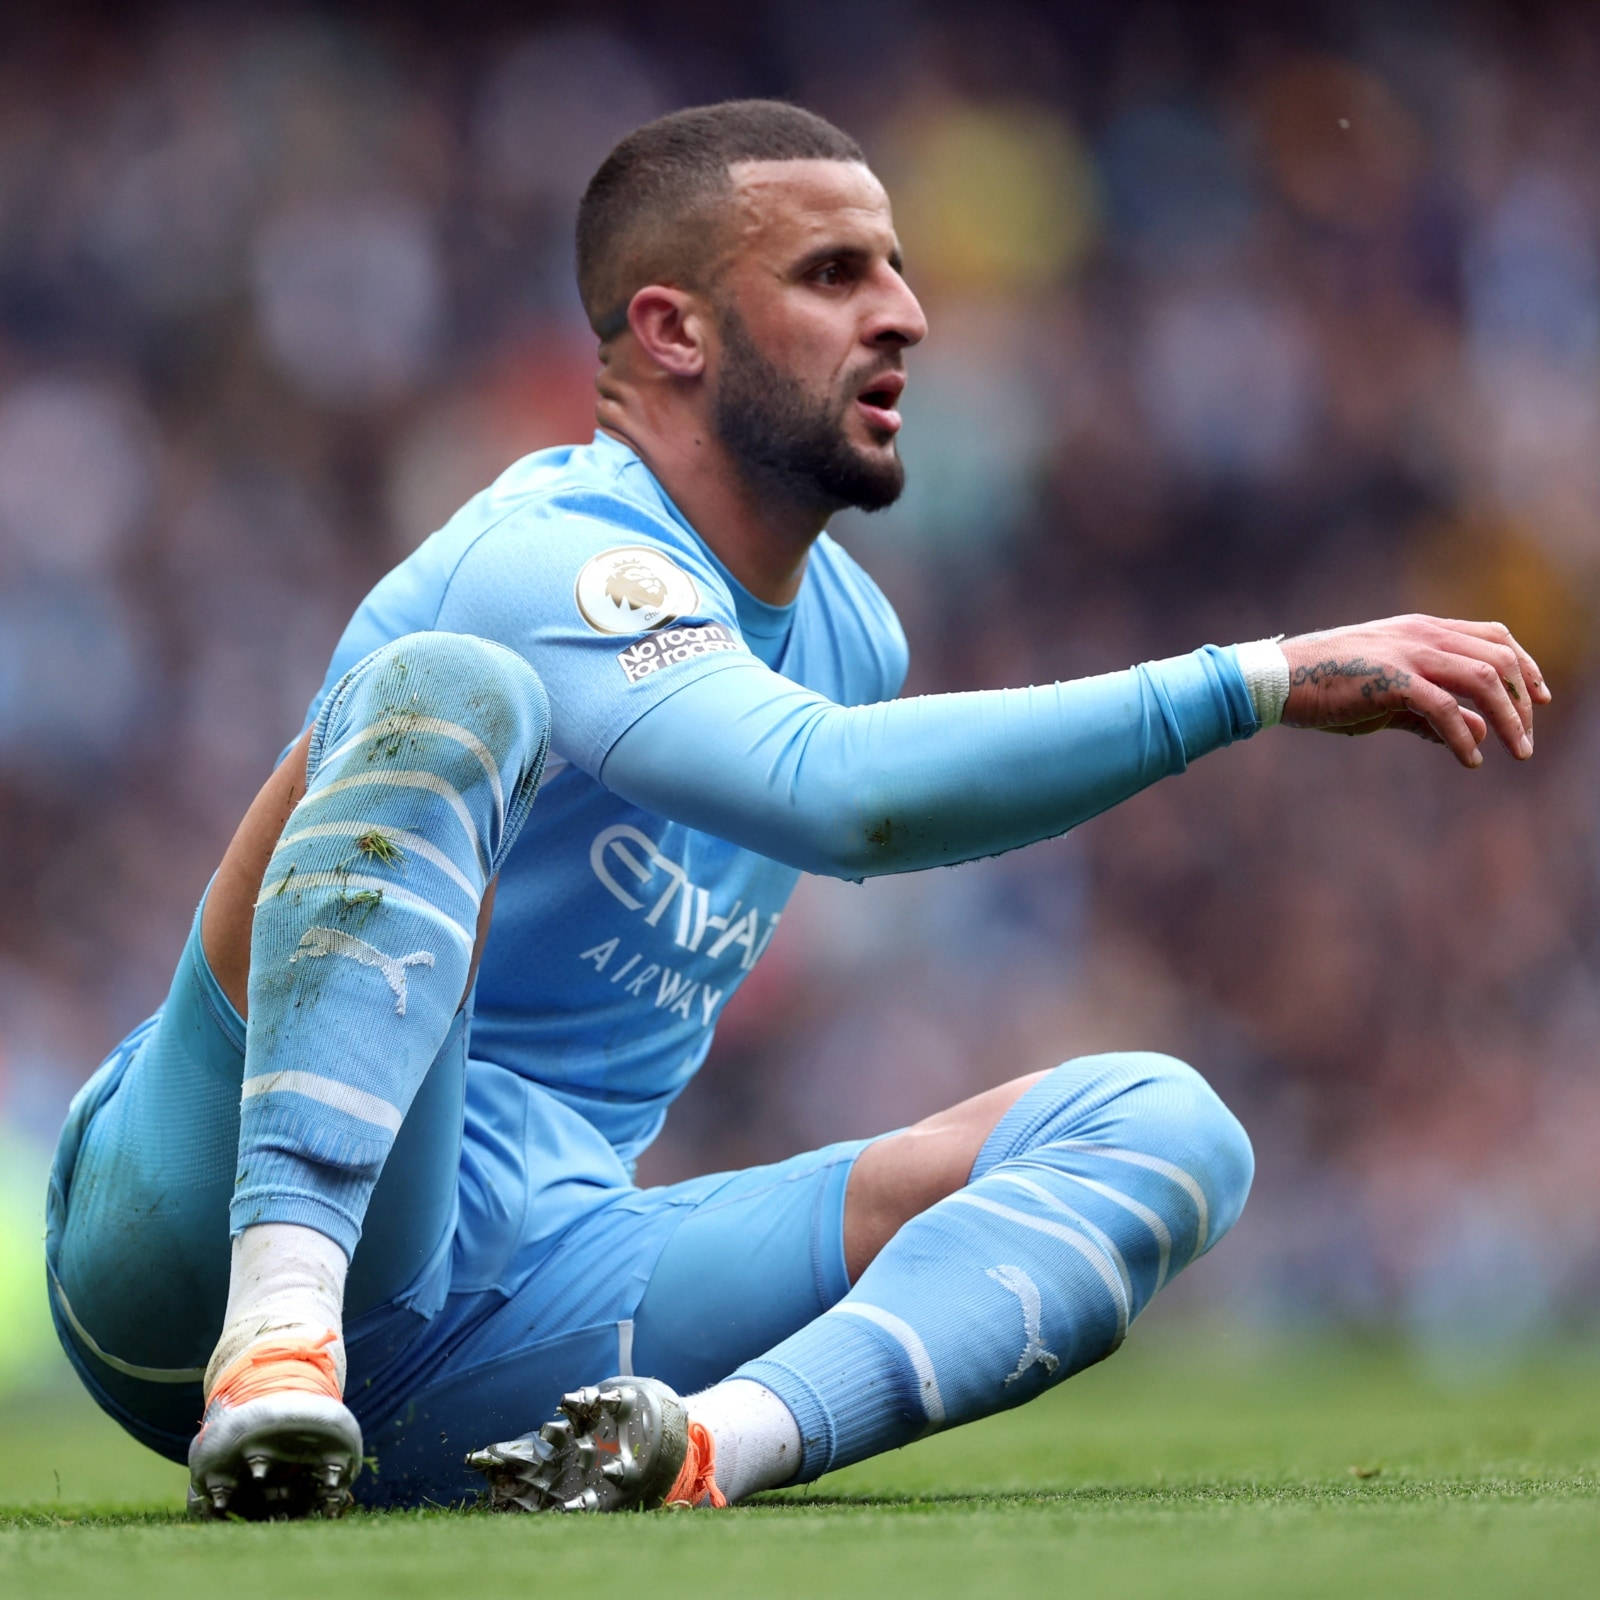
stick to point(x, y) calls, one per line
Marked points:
point(1183, 1468)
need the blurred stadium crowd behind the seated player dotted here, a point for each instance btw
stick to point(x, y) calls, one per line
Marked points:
point(1239, 326)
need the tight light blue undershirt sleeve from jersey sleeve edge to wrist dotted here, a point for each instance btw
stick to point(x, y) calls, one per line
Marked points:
point(922, 783)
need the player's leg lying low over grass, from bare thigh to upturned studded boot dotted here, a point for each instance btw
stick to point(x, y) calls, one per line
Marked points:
point(1090, 1190)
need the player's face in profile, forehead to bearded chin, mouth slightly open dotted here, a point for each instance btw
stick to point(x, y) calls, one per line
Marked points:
point(814, 324)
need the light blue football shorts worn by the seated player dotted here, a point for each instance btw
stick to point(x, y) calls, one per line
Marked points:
point(484, 1286)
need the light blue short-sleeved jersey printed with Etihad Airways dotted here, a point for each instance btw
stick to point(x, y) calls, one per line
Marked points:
point(618, 935)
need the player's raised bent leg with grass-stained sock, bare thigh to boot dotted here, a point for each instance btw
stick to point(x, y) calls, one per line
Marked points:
point(362, 910)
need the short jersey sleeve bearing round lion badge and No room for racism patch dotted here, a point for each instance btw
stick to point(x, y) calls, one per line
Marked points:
point(612, 607)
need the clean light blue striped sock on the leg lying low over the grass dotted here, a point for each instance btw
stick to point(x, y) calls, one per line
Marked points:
point(1100, 1185)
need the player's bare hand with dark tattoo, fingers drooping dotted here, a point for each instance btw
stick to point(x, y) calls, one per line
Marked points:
point(1449, 682)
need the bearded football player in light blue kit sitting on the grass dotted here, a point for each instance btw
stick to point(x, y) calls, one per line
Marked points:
point(369, 1169)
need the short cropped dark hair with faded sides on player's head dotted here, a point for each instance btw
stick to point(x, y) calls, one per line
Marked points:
point(650, 215)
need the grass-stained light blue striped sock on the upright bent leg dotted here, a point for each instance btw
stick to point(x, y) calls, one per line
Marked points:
point(422, 769)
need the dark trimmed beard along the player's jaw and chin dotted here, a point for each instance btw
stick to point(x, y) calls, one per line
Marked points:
point(788, 441)
